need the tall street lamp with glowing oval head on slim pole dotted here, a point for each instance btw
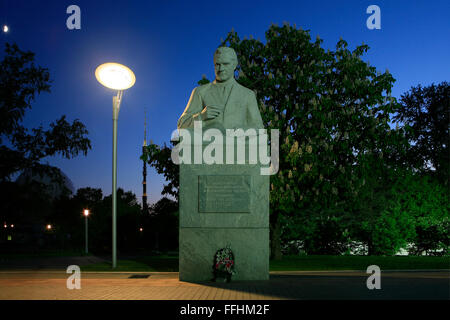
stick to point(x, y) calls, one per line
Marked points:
point(117, 77)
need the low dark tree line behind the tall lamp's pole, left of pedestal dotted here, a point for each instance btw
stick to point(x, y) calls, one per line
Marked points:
point(159, 225)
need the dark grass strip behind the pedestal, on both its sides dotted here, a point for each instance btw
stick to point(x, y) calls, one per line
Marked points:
point(291, 263)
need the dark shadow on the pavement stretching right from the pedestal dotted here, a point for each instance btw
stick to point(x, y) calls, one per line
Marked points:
point(394, 286)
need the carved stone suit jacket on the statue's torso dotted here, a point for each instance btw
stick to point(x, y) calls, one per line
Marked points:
point(240, 107)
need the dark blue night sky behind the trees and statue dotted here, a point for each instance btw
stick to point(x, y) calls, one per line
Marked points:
point(169, 45)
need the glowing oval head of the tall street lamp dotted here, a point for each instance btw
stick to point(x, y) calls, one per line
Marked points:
point(115, 76)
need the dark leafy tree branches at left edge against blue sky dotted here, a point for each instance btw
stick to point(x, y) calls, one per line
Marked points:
point(20, 82)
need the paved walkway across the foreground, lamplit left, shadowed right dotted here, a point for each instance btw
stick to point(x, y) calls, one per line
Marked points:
point(45, 285)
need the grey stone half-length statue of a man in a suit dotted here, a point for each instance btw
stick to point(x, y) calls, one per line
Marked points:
point(224, 103)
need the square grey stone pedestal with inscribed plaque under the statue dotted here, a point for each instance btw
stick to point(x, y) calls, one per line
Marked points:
point(220, 205)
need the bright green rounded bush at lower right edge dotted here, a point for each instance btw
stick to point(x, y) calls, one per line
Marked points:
point(392, 214)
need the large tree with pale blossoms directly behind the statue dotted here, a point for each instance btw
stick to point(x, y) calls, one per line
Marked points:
point(333, 112)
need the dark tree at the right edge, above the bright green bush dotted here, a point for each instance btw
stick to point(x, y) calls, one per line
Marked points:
point(425, 110)
